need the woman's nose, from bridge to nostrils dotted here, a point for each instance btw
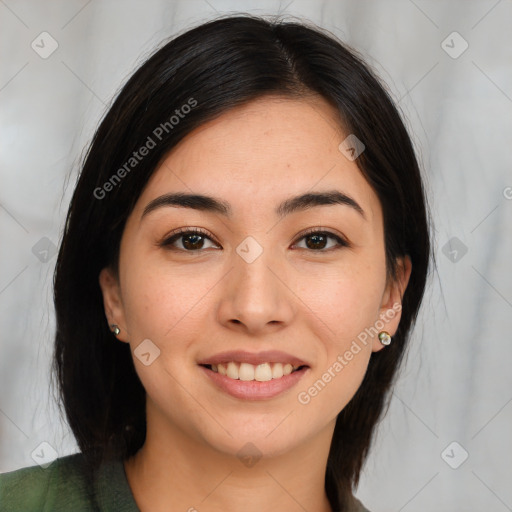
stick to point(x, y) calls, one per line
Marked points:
point(256, 297)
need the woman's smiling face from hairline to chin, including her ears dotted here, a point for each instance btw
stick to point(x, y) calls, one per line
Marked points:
point(254, 280)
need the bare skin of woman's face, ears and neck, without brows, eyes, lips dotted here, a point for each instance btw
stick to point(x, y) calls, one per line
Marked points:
point(311, 303)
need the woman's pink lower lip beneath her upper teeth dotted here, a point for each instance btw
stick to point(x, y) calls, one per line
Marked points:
point(253, 389)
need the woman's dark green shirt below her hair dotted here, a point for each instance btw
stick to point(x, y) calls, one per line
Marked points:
point(61, 487)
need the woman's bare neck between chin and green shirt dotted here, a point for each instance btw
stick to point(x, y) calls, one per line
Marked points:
point(173, 471)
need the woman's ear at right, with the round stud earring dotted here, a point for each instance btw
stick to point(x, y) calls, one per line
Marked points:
point(391, 307)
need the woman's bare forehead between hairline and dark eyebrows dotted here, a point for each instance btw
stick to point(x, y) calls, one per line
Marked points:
point(261, 153)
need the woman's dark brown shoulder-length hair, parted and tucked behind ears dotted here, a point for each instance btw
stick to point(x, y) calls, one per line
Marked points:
point(222, 64)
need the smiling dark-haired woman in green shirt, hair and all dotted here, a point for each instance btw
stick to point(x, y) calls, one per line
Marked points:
point(244, 257)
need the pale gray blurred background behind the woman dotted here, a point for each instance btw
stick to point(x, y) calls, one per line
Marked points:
point(456, 385)
